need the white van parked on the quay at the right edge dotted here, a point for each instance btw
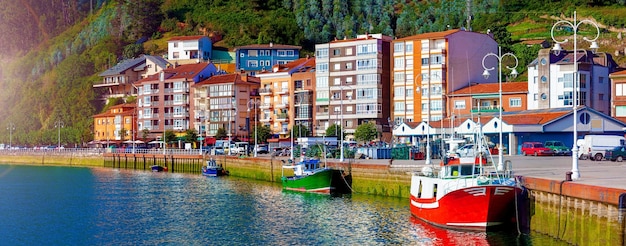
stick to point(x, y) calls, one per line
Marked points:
point(594, 146)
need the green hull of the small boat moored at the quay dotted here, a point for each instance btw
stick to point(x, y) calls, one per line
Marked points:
point(319, 182)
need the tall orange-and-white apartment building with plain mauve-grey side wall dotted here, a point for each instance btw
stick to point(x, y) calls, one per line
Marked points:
point(427, 67)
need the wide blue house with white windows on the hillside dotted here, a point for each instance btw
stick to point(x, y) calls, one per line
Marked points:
point(259, 57)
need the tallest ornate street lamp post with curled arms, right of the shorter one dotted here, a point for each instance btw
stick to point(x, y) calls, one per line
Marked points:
point(557, 49)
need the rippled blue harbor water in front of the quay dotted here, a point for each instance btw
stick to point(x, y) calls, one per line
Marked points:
point(51, 205)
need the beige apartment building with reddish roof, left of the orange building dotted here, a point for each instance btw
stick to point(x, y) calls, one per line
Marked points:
point(222, 101)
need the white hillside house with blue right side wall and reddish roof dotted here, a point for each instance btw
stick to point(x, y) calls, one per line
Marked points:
point(189, 49)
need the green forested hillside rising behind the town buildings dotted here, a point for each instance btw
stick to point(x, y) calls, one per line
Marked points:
point(53, 50)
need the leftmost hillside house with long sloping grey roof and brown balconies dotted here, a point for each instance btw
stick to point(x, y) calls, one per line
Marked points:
point(117, 81)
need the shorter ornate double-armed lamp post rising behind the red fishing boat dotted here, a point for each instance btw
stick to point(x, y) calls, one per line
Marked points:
point(486, 74)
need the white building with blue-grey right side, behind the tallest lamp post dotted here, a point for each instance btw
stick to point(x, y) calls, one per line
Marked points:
point(551, 80)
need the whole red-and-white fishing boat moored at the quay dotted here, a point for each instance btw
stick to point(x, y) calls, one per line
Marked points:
point(465, 192)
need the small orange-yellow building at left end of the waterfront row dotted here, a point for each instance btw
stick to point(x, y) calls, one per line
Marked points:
point(116, 125)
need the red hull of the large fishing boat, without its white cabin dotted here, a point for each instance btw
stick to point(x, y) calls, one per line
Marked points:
point(473, 208)
